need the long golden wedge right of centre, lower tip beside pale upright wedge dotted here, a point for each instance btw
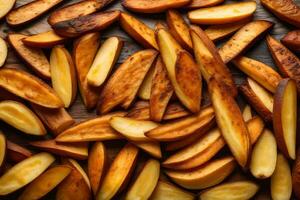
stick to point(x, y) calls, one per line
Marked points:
point(230, 121)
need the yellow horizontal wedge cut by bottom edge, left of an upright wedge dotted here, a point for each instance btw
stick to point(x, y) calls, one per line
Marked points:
point(231, 190)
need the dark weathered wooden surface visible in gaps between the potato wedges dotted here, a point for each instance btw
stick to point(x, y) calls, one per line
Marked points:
point(258, 51)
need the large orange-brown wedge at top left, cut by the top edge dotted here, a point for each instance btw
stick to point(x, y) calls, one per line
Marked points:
point(29, 12)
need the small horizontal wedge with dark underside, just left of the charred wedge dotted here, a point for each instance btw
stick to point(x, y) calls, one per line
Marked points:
point(46, 39)
